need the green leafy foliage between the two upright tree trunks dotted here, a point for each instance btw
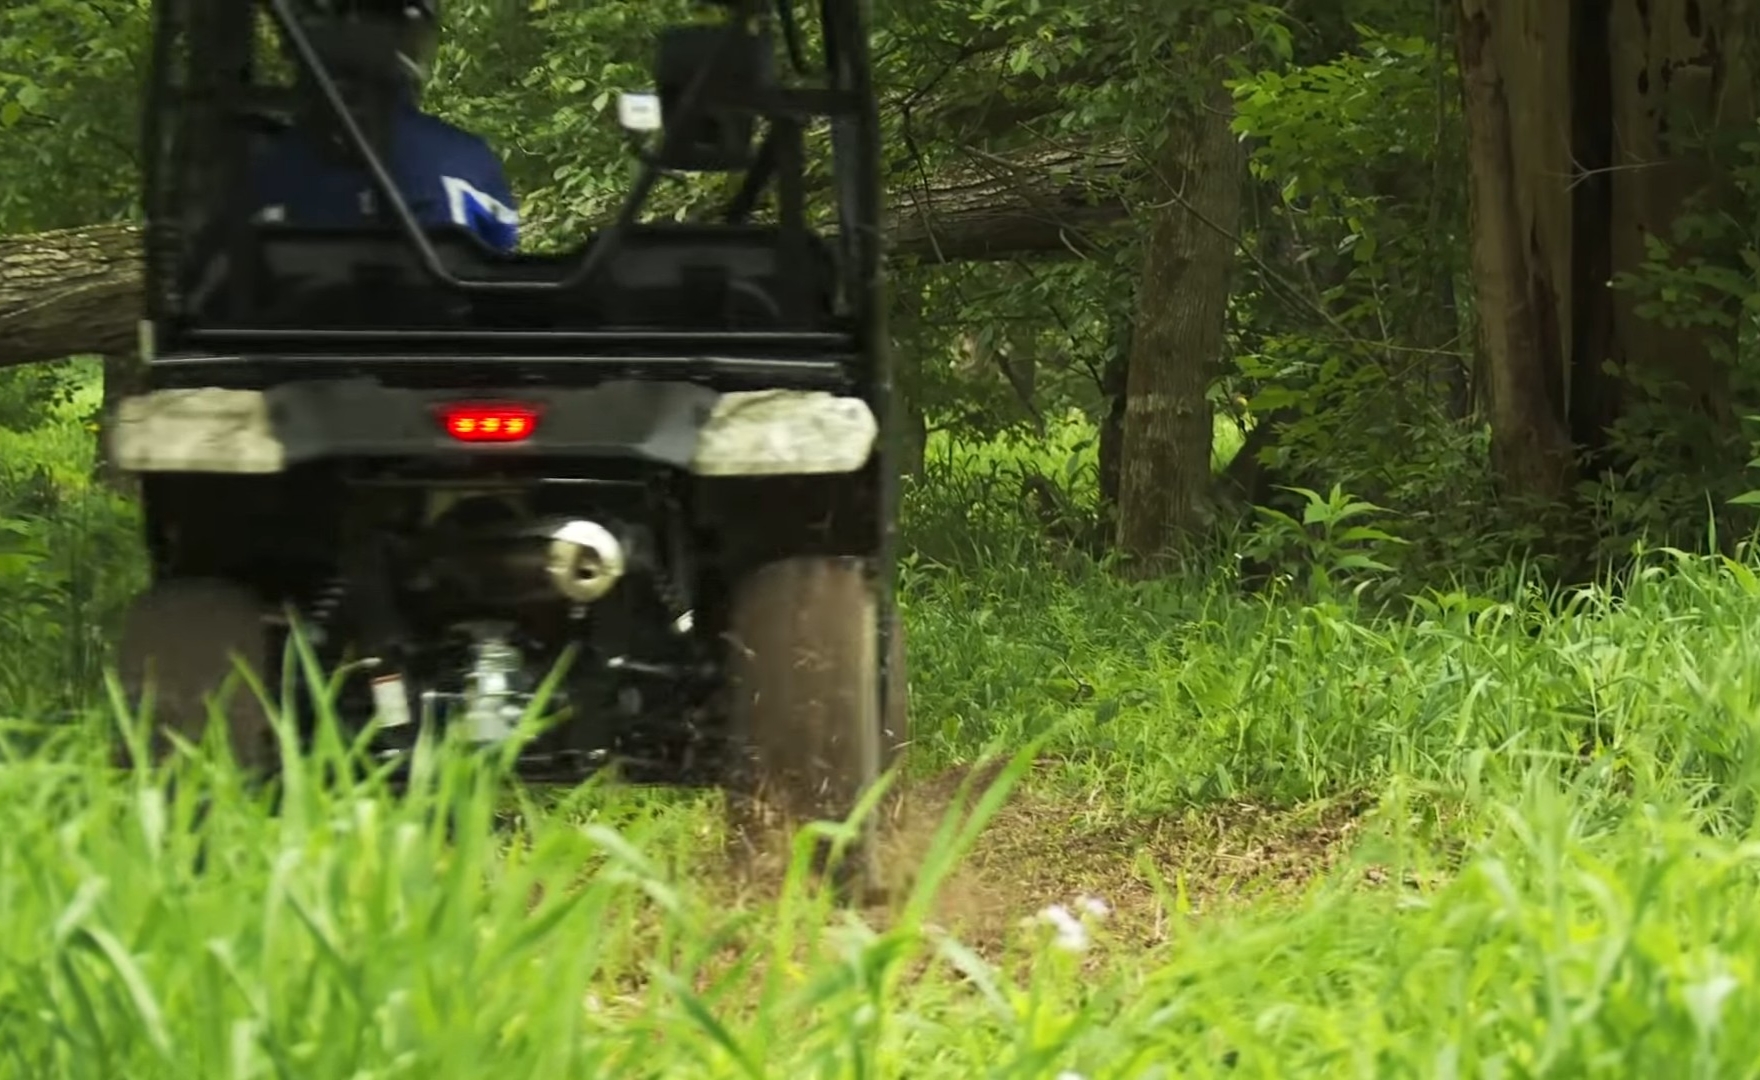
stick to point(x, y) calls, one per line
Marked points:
point(1349, 335)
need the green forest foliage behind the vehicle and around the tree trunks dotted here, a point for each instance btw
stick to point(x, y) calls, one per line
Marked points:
point(1351, 323)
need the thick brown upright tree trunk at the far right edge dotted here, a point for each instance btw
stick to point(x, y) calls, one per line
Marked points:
point(1587, 128)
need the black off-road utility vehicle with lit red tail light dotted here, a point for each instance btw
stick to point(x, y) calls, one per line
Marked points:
point(657, 455)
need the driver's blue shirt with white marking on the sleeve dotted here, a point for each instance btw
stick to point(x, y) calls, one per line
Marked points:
point(444, 173)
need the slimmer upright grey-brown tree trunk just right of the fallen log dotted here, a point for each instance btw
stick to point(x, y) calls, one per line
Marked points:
point(1178, 332)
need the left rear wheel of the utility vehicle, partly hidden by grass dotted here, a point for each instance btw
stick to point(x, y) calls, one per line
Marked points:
point(179, 645)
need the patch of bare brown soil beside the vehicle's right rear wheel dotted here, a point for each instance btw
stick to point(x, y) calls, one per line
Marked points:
point(1041, 850)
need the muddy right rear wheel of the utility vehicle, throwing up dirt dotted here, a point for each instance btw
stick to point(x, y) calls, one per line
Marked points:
point(805, 678)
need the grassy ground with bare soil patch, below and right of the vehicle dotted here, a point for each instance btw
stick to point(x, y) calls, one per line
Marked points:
point(1150, 835)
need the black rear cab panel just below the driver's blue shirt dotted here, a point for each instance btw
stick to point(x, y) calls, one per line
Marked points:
point(661, 279)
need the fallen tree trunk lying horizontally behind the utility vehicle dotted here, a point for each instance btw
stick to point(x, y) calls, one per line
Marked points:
point(78, 291)
